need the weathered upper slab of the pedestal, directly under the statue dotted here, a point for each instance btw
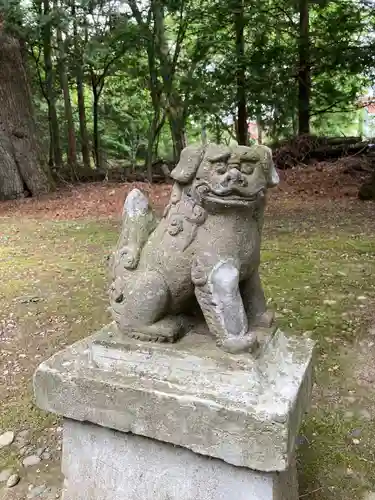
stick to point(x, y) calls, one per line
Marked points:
point(244, 411)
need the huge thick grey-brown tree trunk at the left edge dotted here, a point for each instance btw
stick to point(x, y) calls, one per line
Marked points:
point(21, 162)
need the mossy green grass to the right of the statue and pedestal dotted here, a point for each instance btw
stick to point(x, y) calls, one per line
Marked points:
point(323, 284)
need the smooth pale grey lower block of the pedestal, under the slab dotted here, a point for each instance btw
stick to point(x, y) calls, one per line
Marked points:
point(103, 464)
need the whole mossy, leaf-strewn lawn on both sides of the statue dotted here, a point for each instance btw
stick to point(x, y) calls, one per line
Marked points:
point(318, 274)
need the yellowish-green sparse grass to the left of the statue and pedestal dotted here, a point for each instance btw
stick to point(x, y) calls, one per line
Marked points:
point(54, 286)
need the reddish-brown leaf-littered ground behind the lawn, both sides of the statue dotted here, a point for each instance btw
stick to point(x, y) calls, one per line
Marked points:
point(305, 190)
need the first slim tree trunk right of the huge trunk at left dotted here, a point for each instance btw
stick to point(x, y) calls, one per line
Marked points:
point(50, 92)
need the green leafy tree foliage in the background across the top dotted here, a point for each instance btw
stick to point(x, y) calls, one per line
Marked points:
point(151, 63)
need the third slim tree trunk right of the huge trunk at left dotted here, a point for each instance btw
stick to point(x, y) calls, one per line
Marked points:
point(80, 93)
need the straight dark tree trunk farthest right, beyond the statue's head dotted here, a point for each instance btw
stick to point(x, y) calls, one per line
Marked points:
point(304, 73)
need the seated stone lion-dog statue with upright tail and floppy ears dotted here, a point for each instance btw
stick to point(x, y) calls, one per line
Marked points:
point(205, 247)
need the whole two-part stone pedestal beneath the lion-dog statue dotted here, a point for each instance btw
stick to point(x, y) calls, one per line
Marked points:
point(157, 421)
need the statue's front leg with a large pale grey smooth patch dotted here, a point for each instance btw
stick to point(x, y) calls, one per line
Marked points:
point(218, 294)
